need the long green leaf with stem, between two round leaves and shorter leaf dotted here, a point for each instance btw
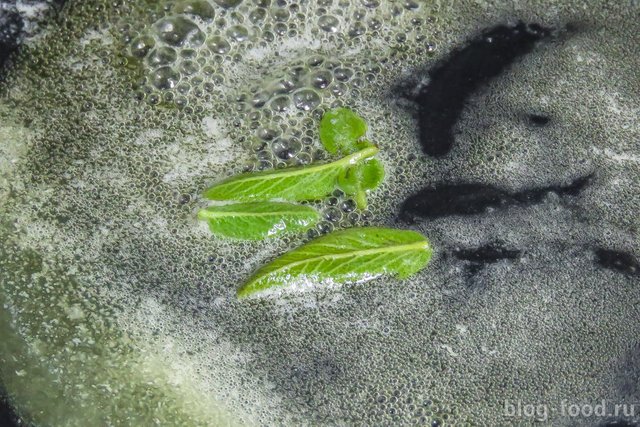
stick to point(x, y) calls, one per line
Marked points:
point(294, 184)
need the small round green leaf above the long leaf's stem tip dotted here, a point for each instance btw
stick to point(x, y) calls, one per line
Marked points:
point(340, 131)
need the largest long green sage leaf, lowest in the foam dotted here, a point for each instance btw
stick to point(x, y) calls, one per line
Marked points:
point(352, 255)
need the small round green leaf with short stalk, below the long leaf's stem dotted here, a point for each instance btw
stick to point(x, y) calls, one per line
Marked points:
point(356, 180)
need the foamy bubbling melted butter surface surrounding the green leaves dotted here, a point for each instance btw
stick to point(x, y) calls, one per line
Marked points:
point(118, 308)
